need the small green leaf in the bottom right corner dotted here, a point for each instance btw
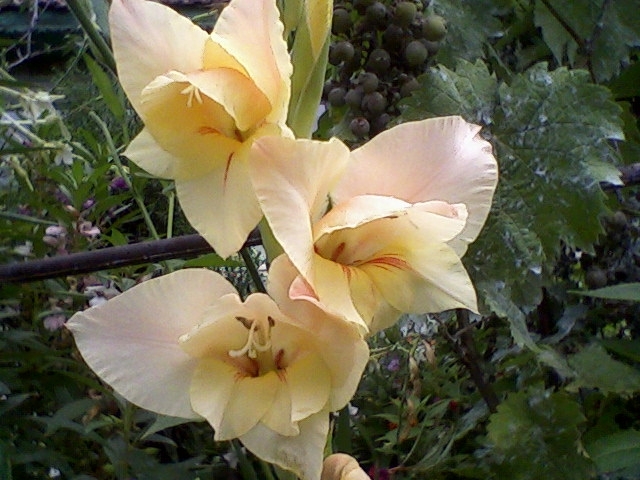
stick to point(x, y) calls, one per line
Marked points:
point(615, 452)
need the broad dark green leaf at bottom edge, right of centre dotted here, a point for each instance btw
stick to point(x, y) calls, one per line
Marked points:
point(535, 435)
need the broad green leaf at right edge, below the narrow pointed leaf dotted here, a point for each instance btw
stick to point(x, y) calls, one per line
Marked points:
point(596, 369)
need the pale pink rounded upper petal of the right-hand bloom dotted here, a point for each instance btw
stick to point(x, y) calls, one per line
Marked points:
point(436, 159)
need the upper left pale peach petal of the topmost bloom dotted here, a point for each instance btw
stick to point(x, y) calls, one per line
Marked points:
point(150, 39)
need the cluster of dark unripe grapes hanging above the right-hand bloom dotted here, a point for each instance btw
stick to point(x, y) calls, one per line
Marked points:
point(378, 49)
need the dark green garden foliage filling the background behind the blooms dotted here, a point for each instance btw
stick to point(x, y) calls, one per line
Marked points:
point(545, 384)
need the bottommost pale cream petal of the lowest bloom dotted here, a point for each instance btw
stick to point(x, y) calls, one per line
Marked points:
point(302, 454)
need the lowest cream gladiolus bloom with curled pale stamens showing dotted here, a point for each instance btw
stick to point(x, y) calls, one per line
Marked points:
point(267, 373)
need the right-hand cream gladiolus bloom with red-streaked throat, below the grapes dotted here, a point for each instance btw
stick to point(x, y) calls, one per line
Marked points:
point(403, 209)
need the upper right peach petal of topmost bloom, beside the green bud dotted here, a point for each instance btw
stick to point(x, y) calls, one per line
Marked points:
point(253, 34)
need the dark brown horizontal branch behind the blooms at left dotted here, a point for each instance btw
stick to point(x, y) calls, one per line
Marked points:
point(187, 246)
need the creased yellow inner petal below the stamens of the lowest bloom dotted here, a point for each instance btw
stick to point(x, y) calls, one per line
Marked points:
point(231, 404)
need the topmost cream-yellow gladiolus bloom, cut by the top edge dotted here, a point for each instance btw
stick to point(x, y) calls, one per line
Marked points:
point(203, 98)
